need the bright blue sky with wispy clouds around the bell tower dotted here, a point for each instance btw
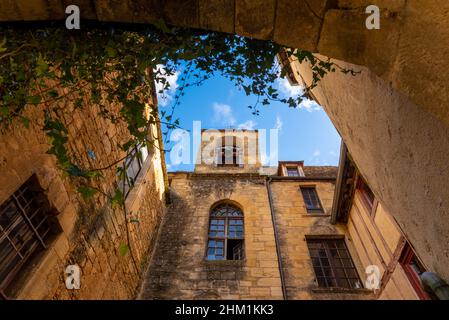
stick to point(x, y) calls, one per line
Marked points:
point(305, 133)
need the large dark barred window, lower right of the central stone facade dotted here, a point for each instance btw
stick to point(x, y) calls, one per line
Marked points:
point(332, 263)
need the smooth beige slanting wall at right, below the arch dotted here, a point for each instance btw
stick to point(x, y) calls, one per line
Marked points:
point(399, 149)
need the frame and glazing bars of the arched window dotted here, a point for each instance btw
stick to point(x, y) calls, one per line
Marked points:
point(225, 238)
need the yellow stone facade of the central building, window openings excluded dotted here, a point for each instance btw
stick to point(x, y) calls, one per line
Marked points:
point(277, 261)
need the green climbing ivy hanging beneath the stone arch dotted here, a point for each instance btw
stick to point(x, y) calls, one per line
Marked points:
point(117, 66)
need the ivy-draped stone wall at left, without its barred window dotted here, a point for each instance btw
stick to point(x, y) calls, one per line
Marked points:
point(92, 232)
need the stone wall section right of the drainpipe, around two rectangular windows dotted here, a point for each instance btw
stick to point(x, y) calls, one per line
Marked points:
point(294, 223)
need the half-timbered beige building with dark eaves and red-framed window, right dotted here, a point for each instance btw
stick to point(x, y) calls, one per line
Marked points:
point(376, 236)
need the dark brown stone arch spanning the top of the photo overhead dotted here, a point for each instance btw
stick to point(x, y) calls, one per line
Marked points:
point(401, 52)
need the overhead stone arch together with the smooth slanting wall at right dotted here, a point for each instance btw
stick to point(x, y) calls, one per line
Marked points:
point(393, 116)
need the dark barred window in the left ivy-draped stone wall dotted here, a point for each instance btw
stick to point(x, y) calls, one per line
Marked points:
point(26, 224)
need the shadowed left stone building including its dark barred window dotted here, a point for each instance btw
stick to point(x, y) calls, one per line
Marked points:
point(45, 225)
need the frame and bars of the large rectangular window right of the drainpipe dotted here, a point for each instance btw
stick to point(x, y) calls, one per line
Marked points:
point(332, 265)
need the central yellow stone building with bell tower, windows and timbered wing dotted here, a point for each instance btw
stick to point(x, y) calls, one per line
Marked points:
point(237, 230)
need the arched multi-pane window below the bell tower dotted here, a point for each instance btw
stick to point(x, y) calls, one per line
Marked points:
point(225, 233)
